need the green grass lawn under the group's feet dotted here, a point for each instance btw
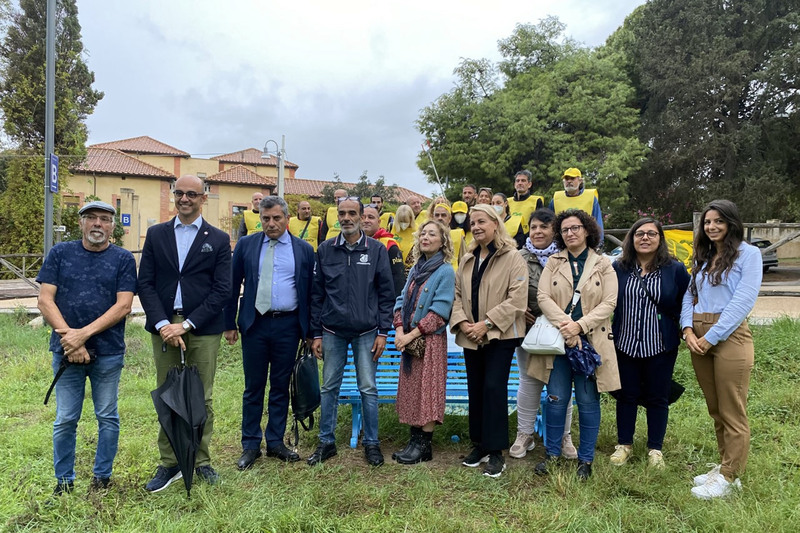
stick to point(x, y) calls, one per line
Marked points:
point(346, 495)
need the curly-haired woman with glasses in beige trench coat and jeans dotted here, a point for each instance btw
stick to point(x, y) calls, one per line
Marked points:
point(577, 294)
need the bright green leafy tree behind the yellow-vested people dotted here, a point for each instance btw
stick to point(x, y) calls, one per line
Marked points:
point(559, 107)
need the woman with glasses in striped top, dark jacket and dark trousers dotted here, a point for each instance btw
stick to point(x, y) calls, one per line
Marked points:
point(646, 335)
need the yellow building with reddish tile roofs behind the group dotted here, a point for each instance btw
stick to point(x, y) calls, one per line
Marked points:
point(137, 175)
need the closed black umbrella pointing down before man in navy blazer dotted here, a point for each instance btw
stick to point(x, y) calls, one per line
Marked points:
point(180, 403)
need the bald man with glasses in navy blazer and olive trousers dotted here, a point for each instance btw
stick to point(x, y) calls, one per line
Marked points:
point(185, 281)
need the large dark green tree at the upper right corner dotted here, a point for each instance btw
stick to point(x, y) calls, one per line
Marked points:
point(718, 86)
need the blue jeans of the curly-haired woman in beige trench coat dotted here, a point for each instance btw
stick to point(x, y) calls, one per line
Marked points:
point(559, 396)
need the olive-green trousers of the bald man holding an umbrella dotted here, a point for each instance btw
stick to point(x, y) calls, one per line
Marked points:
point(201, 350)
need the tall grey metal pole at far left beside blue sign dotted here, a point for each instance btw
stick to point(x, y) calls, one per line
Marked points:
point(49, 120)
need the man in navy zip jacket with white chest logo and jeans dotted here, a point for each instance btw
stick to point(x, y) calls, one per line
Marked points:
point(351, 305)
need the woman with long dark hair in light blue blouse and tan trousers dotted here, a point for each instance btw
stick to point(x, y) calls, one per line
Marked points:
point(726, 277)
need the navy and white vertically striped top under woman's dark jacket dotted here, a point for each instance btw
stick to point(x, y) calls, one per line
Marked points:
point(639, 332)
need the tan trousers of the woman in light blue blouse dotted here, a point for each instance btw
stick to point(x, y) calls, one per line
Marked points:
point(724, 376)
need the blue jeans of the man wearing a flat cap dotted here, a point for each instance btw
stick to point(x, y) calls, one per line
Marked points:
point(103, 374)
